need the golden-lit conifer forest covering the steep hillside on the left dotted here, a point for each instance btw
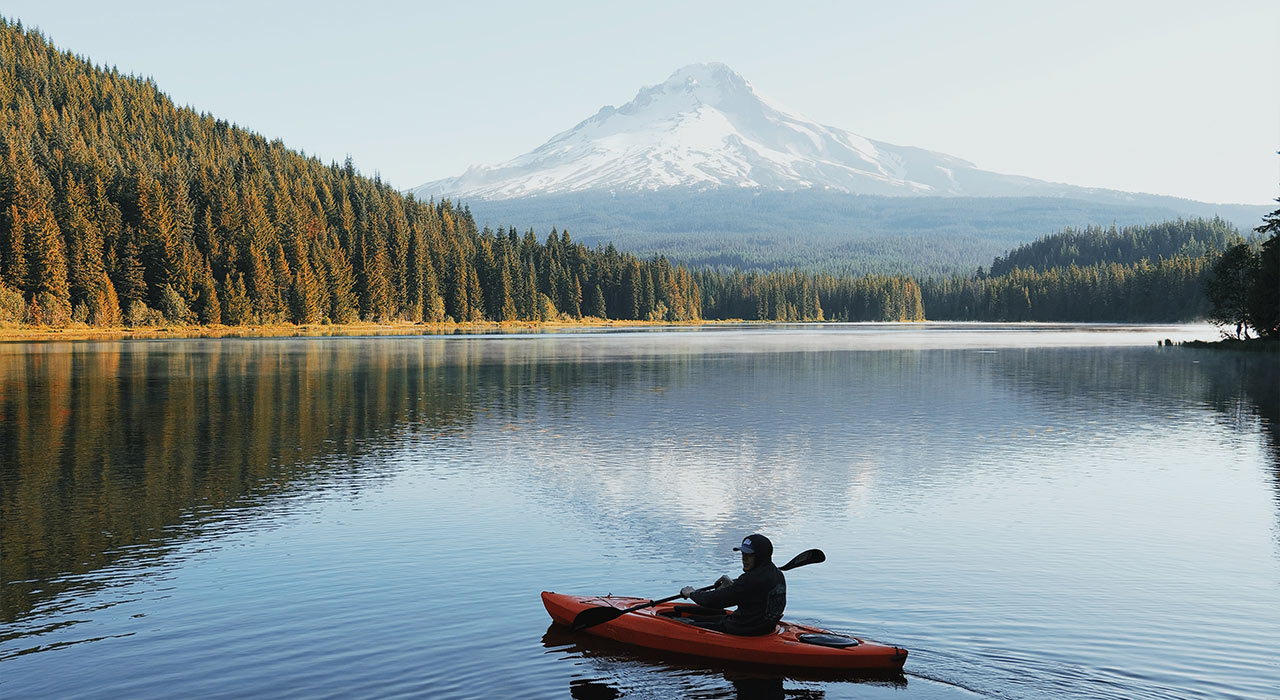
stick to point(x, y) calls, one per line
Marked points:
point(118, 207)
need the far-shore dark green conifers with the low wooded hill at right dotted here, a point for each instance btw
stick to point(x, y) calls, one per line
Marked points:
point(1139, 274)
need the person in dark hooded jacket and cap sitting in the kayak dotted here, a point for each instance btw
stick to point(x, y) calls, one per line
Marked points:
point(760, 594)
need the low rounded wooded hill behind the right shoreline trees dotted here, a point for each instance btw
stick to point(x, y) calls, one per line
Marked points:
point(1128, 246)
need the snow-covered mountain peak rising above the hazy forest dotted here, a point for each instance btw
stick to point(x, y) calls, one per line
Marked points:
point(706, 127)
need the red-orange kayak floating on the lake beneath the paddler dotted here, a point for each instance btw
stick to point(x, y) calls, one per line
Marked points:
point(790, 646)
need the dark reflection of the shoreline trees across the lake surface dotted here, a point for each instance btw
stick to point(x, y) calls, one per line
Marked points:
point(121, 450)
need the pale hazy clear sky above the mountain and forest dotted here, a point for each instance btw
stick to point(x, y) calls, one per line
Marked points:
point(1173, 98)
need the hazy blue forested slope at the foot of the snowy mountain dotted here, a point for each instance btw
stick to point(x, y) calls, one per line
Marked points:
point(833, 232)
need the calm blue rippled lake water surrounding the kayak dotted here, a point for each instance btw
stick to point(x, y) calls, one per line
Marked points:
point(1034, 511)
